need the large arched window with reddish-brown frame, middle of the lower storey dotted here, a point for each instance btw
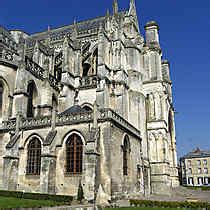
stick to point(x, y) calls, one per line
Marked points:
point(74, 152)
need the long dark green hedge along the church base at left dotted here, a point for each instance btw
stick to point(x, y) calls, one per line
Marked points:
point(36, 196)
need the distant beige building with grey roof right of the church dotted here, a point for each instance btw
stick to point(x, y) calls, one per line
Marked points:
point(195, 168)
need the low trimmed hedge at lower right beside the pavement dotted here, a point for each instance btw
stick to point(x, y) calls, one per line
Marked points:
point(169, 204)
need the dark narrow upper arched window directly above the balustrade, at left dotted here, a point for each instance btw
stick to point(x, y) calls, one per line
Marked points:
point(30, 106)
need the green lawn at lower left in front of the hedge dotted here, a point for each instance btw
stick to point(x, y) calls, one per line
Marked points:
point(9, 202)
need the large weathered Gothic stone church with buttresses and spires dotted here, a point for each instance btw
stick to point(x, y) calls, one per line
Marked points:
point(87, 104)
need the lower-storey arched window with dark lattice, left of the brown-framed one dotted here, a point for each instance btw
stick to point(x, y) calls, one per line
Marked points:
point(34, 157)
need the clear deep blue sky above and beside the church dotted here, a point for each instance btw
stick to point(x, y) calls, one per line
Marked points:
point(185, 40)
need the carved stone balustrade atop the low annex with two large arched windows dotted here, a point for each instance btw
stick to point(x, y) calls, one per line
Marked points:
point(70, 119)
